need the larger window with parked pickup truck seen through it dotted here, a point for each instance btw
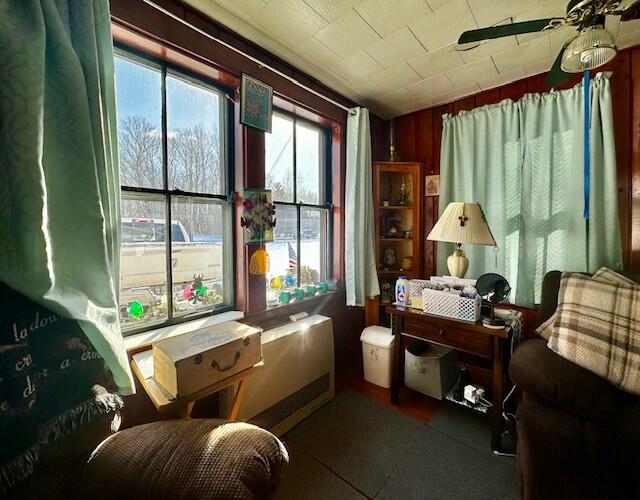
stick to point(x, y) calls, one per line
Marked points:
point(176, 254)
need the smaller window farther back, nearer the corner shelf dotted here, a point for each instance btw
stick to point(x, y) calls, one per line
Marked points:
point(296, 161)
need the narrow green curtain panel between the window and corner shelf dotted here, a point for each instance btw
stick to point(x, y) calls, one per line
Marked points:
point(361, 278)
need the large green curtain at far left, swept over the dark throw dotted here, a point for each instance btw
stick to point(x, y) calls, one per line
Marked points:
point(59, 174)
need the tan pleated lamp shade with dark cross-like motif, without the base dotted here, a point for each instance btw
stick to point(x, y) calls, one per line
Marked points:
point(462, 223)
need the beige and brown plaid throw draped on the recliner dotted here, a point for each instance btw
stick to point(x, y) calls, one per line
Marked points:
point(597, 326)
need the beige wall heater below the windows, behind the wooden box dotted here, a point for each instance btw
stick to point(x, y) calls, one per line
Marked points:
point(298, 375)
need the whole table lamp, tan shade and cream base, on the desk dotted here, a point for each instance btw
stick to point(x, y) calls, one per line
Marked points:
point(461, 223)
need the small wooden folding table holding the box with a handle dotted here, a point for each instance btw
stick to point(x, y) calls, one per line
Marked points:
point(142, 364)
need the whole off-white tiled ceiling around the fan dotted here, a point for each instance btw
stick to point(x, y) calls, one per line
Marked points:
point(339, 42)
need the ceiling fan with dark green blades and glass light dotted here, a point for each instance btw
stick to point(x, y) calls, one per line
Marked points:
point(590, 48)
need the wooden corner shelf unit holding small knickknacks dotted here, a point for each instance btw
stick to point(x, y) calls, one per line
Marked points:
point(404, 214)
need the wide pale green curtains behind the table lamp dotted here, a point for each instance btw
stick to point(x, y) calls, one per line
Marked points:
point(524, 162)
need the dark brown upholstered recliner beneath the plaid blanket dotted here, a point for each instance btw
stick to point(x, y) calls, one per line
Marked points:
point(578, 435)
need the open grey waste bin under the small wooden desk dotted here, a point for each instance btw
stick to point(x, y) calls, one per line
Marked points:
point(430, 369)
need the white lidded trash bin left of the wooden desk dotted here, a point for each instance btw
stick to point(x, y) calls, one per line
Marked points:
point(377, 347)
